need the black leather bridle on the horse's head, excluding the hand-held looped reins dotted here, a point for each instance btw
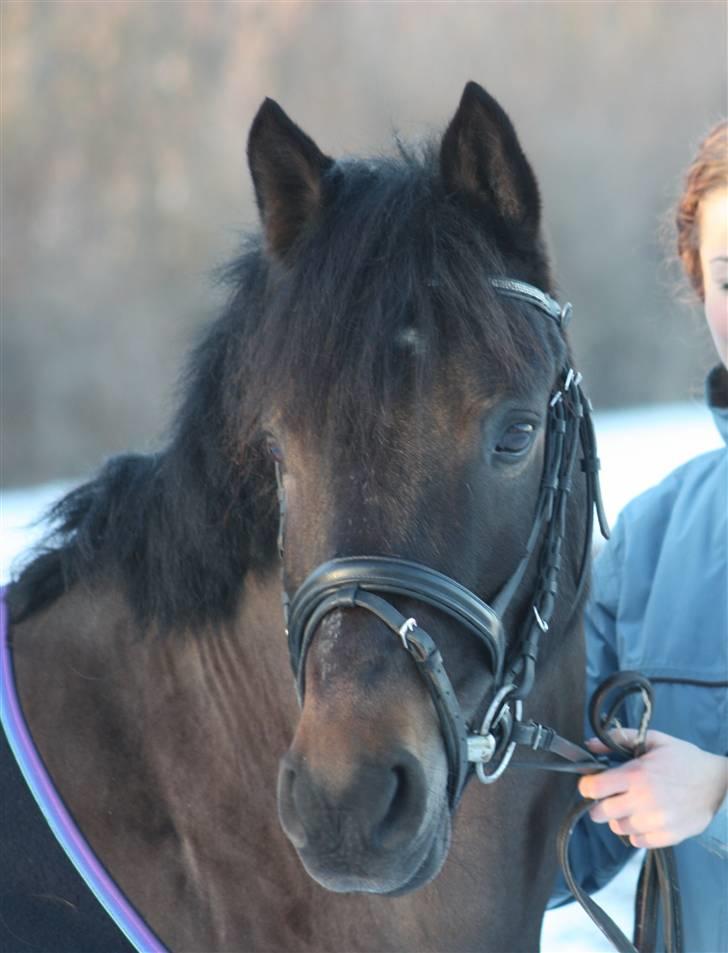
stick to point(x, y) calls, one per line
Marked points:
point(364, 582)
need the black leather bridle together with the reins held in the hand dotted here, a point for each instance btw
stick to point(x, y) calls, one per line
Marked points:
point(364, 582)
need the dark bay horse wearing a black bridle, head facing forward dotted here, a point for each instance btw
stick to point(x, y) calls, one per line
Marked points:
point(367, 377)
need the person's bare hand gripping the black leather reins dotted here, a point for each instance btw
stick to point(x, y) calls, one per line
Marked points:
point(668, 794)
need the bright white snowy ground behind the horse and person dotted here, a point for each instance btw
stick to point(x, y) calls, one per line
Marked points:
point(637, 447)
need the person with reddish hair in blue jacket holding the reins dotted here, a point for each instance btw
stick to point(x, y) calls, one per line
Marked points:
point(659, 605)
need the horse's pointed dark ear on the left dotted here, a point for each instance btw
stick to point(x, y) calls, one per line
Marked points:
point(287, 167)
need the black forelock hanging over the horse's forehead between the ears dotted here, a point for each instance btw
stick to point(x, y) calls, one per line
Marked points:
point(383, 296)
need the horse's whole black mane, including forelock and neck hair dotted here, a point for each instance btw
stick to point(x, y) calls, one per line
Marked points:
point(317, 336)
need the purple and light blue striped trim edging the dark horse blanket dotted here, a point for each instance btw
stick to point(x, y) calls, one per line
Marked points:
point(55, 812)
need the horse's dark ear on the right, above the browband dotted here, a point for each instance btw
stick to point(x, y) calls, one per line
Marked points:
point(480, 156)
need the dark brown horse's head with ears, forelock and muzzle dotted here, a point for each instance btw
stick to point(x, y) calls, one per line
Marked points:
point(404, 410)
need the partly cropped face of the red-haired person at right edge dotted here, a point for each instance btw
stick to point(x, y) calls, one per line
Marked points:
point(713, 211)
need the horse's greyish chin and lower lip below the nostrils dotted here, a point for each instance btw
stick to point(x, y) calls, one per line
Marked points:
point(340, 875)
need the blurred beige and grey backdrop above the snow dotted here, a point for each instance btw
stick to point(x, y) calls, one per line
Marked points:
point(124, 183)
